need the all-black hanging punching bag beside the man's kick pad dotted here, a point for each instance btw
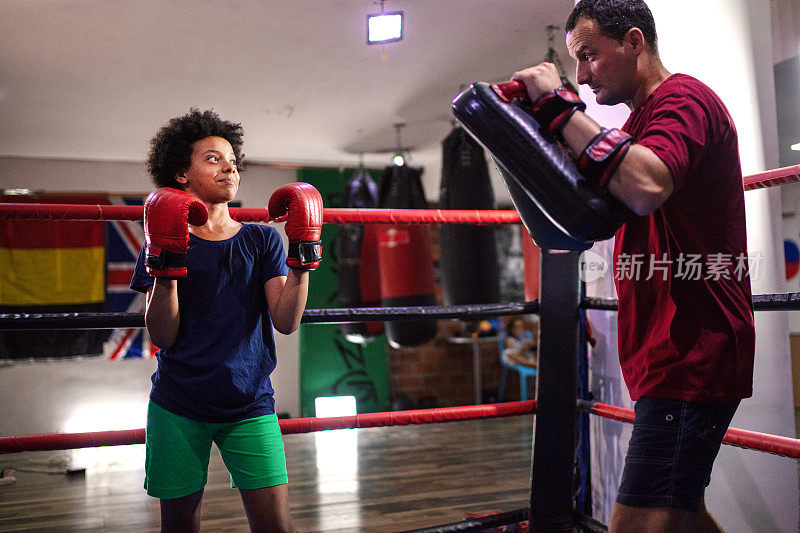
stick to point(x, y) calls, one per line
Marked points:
point(468, 258)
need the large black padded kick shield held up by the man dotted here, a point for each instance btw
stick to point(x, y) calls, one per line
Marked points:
point(559, 207)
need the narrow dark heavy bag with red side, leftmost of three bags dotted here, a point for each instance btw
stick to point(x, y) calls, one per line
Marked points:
point(357, 247)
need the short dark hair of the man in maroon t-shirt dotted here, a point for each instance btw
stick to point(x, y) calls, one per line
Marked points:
point(616, 17)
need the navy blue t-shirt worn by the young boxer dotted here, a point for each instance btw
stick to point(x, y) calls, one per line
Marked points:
point(218, 368)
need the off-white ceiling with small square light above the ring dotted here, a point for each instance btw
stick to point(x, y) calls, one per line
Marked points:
point(94, 79)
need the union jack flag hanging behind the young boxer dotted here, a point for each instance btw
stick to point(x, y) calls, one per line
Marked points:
point(123, 240)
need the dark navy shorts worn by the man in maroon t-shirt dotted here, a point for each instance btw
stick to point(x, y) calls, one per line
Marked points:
point(671, 452)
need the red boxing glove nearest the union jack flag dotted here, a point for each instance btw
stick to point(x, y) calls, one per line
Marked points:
point(167, 215)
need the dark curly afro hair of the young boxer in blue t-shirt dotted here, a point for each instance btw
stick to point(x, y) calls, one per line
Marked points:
point(171, 148)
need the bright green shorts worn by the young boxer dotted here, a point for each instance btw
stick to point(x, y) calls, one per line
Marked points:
point(178, 450)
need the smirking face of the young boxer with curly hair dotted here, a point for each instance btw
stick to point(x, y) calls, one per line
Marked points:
point(212, 175)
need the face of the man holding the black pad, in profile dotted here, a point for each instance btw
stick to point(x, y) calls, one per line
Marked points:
point(606, 65)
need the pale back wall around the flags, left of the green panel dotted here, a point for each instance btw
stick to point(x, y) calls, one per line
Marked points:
point(42, 397)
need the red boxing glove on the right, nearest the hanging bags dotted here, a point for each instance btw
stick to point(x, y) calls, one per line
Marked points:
point(300, 205)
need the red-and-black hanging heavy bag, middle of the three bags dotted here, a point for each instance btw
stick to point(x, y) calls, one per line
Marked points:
point(406, 258)
